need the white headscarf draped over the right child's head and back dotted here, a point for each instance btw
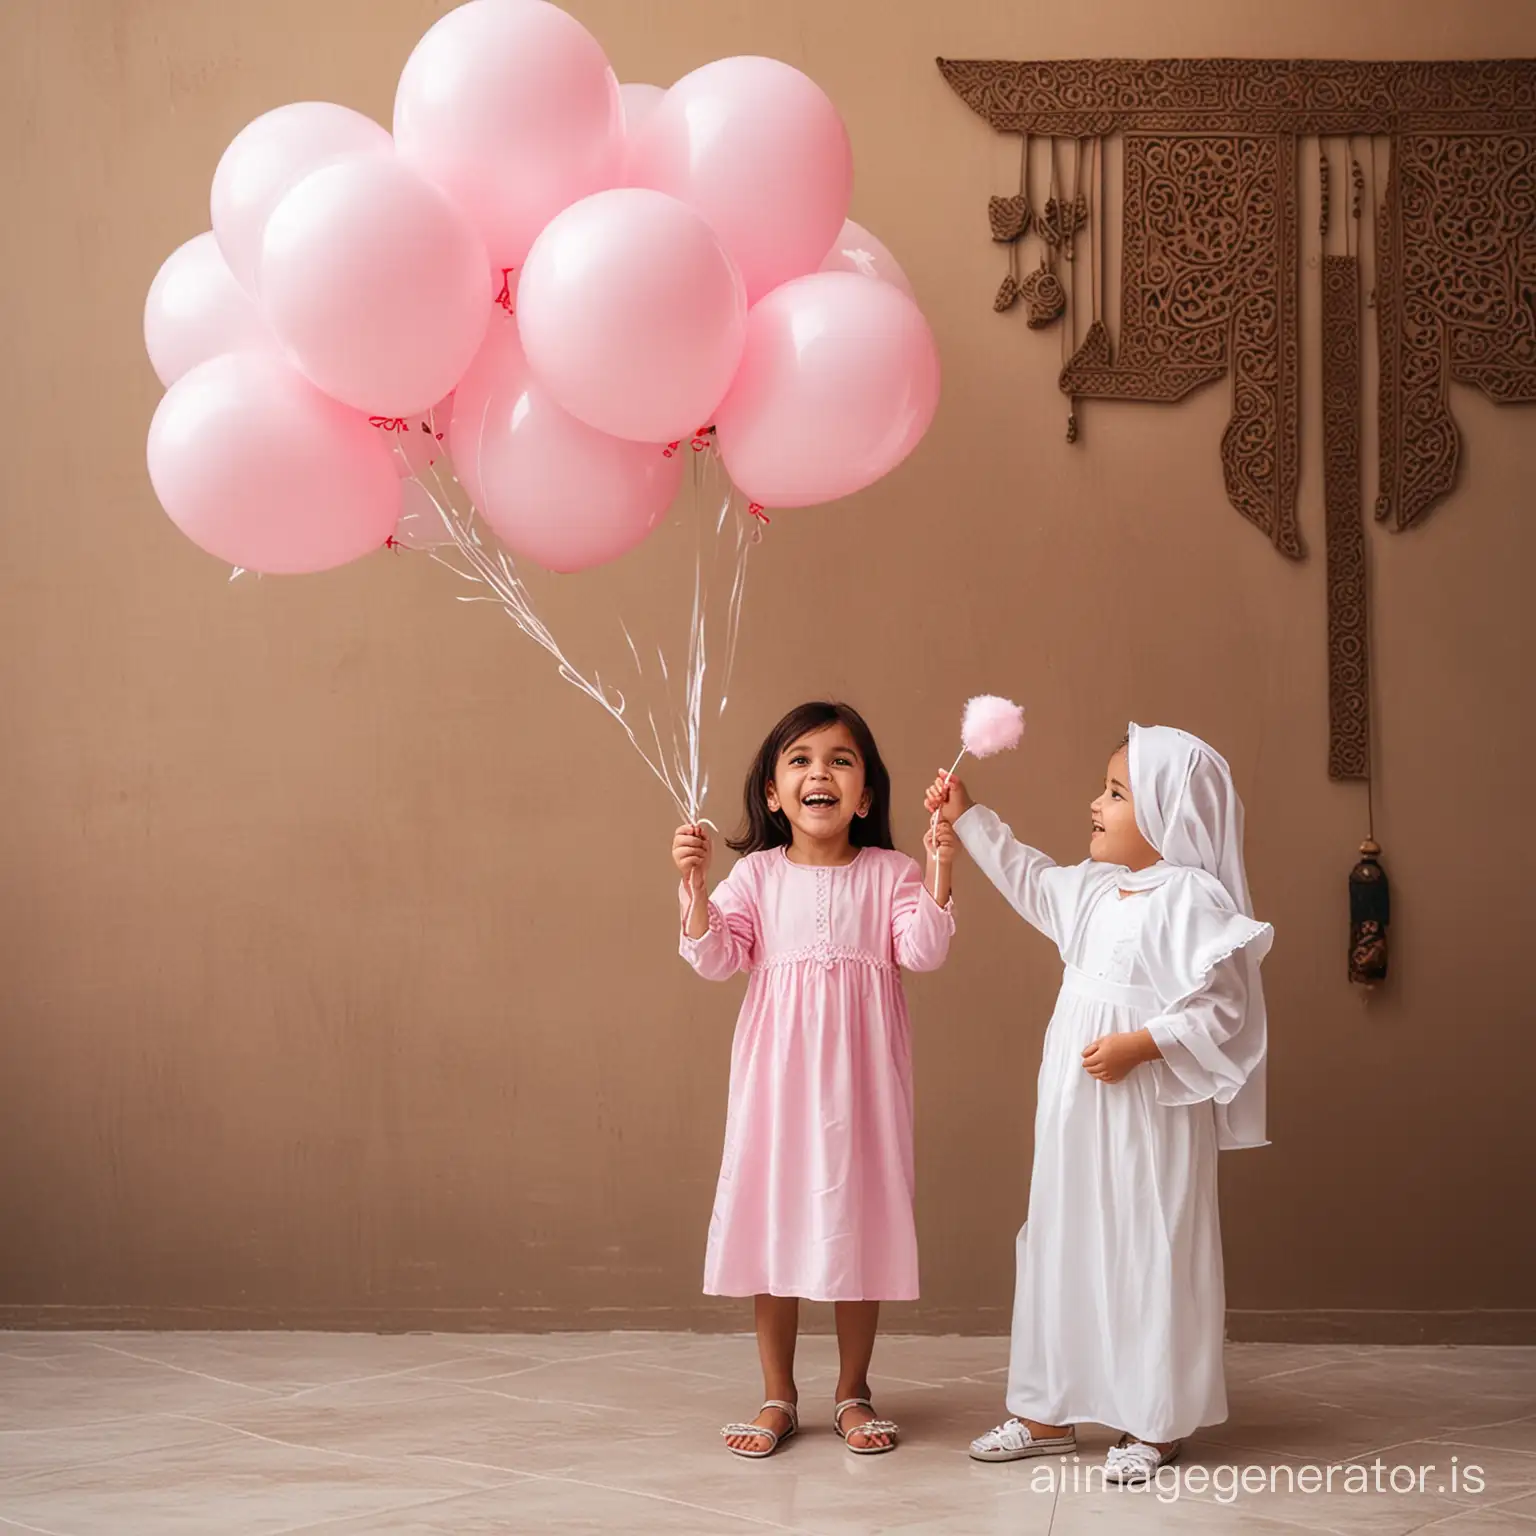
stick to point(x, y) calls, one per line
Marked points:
point(1190, 812)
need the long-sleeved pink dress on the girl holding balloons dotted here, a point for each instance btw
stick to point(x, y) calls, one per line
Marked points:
point(816, 1183)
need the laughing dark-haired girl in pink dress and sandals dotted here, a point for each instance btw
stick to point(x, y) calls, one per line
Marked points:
point(816, 1185)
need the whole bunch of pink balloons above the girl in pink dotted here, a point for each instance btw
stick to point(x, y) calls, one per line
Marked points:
point(549, 276)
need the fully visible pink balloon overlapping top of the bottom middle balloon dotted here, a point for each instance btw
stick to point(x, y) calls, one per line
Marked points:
point(634, 316)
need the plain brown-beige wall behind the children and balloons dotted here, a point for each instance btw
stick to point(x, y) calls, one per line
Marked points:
point(337, 975)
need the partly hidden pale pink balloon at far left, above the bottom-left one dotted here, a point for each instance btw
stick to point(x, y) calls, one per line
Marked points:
point(196, 311)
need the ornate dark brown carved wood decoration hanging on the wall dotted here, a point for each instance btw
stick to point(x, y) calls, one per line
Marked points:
point(1211, 271)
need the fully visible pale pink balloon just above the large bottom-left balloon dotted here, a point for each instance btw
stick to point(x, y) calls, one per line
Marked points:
point(376, 283)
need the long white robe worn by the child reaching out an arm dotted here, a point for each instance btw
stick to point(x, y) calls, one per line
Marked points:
point(1121, 1305)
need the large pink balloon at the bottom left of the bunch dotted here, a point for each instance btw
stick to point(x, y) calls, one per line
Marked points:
point(257, 466)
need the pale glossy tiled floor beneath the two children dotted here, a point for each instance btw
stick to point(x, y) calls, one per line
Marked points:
point(472, 1435)
